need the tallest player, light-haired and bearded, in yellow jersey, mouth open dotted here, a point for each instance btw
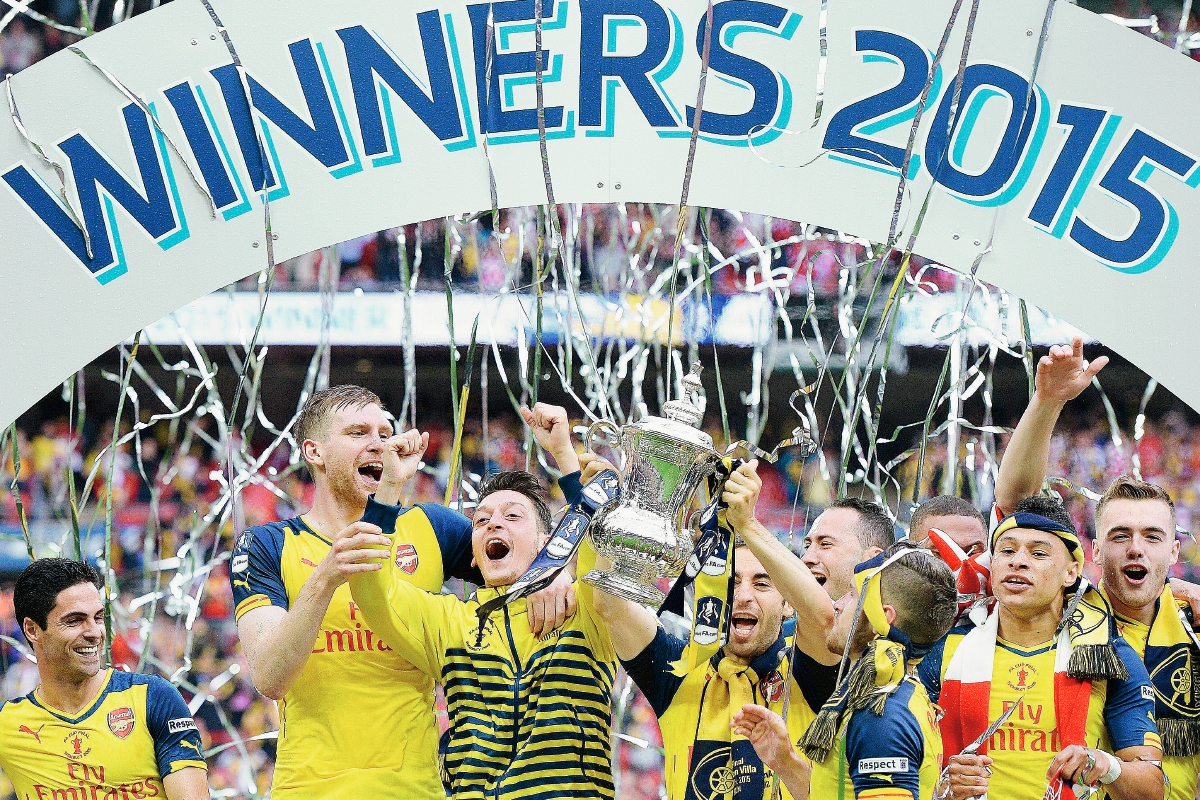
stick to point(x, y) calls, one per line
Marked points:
point(308, 642)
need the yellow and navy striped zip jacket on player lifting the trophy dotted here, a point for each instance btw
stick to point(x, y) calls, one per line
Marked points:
point(529, 718)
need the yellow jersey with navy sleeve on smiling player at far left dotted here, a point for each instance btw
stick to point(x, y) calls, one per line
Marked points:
point(135, 733)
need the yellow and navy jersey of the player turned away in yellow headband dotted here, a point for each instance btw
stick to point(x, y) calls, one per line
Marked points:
point(895, 756)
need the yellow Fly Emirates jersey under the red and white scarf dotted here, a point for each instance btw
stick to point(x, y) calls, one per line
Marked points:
point(1121, 713)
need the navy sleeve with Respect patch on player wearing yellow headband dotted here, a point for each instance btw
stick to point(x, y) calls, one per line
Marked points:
point(884, 754)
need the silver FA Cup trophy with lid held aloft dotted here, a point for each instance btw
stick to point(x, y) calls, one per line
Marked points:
point(665, 461)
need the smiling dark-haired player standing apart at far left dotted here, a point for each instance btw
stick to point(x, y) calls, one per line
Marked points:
point(89, 731)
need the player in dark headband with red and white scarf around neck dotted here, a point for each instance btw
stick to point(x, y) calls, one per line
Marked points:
point(1078, 697)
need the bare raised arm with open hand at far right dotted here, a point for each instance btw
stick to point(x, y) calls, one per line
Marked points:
point(1061, 377)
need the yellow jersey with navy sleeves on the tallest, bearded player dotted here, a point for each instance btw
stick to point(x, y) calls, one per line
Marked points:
point(359, 720)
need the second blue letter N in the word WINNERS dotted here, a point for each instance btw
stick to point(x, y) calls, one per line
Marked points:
point(368, 58)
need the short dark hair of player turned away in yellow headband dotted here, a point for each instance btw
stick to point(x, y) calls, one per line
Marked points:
point(921, 587)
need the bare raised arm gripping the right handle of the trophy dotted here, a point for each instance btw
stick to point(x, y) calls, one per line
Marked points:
point(788, 573)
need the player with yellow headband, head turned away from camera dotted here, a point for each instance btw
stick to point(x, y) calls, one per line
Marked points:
point(880, 721)
